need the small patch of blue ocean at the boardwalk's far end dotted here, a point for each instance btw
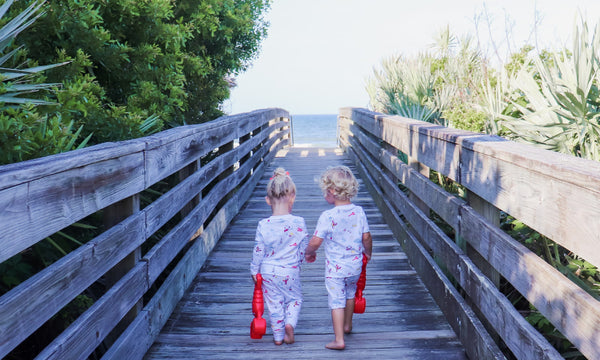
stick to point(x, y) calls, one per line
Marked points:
point(315, 130)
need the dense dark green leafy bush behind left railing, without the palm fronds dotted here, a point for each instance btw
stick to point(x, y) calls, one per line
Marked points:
point(151, 57)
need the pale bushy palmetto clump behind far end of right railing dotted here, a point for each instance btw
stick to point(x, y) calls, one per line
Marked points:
point(425, 86)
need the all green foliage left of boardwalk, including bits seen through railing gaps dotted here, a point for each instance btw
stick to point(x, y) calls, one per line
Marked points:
point(119, 70)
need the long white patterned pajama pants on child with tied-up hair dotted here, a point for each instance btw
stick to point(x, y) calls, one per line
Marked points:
point(283, 296)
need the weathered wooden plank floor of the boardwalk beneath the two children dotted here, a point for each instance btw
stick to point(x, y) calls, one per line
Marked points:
point(212, 321)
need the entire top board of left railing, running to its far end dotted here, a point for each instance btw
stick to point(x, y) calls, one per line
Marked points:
point(58, 190)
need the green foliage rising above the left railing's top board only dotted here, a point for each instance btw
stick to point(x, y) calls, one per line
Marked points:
point(130, 68)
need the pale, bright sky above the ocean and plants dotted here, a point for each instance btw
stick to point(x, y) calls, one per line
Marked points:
point(319, 54)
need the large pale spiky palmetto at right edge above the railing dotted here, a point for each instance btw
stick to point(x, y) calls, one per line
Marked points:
point(562, 108)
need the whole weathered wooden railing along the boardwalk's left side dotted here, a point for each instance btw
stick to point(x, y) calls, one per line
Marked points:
point(40, 197)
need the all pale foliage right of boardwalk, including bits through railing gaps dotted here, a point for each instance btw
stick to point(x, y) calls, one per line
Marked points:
point(549, 99)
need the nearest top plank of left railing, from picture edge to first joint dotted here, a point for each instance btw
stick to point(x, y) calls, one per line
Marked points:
point(43, 206)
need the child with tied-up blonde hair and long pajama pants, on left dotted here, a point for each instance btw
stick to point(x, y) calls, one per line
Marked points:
point(278, 252)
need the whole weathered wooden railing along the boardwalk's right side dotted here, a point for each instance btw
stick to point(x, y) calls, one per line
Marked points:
point(554, 194)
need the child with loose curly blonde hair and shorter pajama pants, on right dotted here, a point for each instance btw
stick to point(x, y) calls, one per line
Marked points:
point(345, 231)
